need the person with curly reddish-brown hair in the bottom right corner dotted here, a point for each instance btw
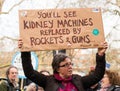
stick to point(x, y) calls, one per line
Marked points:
point(110, 81)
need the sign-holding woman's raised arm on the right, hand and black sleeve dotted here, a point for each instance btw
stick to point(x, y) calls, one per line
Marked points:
point(92, 79)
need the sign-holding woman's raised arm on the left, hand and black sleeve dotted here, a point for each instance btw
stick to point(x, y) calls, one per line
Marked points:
point(30, 73)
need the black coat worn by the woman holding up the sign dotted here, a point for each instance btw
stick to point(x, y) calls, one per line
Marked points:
point(49, 83)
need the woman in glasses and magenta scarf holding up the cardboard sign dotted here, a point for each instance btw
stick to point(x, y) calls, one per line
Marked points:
point(62, 78)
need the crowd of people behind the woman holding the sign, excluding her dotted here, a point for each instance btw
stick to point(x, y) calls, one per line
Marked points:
point(109, 82)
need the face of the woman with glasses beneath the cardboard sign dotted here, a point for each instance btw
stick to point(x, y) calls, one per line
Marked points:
point(65, 68)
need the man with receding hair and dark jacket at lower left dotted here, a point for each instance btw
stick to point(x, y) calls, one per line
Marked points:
point(11, 84)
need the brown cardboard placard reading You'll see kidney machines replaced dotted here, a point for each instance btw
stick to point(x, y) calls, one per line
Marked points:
point(53, 29)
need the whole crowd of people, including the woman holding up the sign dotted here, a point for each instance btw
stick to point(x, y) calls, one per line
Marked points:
point(63, 78)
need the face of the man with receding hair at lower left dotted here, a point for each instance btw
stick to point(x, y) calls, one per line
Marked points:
point(13, 73)
